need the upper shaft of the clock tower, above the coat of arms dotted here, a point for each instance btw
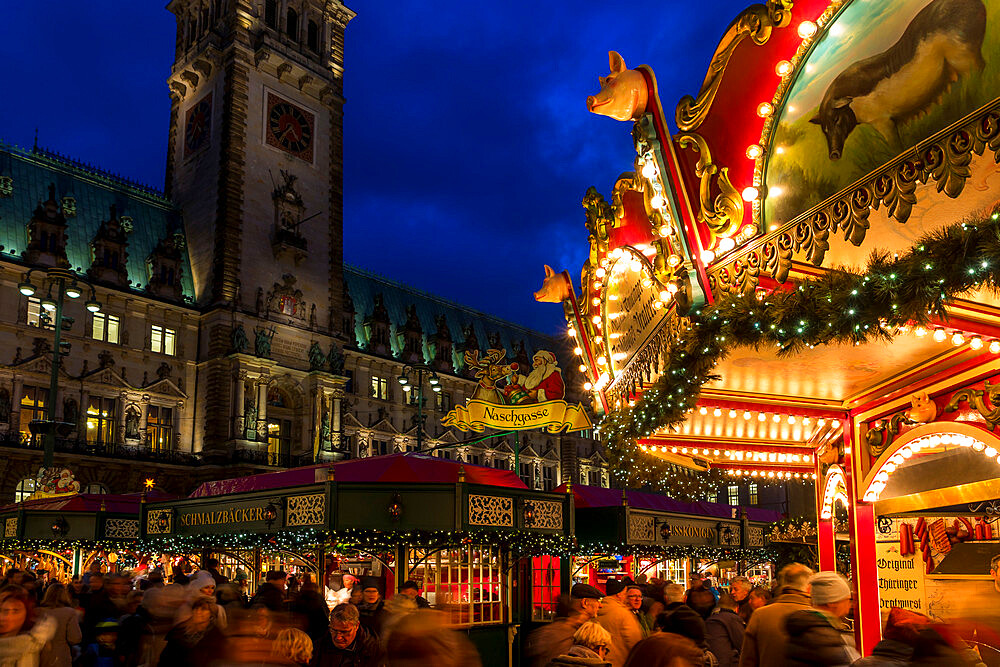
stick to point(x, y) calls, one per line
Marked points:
point(255, 125)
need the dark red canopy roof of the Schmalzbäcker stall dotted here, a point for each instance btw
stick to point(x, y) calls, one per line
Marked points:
point(394, 469)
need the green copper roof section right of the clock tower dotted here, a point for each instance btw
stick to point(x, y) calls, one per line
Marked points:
point(363, 285)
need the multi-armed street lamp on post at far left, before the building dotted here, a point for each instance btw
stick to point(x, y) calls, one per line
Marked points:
point(61, 283)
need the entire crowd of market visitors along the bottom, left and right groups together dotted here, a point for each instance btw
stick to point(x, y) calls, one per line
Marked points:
point(204, 620)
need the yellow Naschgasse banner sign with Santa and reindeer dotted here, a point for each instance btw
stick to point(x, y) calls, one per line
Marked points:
point(508, 400)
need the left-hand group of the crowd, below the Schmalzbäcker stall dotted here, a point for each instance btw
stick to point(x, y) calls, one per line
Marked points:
point(204, 620)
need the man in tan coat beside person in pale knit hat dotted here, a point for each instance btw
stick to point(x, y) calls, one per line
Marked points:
point(765, 638)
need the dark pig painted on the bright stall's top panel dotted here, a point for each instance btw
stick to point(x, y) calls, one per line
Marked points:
point(942, 42)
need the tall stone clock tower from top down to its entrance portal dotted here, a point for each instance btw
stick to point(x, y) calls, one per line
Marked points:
point(255, 163)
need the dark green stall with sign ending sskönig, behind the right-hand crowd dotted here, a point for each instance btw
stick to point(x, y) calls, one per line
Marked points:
point(628, 533)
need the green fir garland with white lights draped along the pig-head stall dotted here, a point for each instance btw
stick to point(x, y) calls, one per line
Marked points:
point(837, 308)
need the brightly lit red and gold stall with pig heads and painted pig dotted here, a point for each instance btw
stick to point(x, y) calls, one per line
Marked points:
point(793, 285)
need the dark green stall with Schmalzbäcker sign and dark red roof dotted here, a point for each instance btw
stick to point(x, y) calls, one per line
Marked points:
point(468, 535)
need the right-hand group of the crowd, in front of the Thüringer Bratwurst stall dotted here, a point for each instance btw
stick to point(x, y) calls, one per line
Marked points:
point(803, 621)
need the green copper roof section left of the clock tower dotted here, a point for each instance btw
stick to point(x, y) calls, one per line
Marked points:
point(153, 216)
